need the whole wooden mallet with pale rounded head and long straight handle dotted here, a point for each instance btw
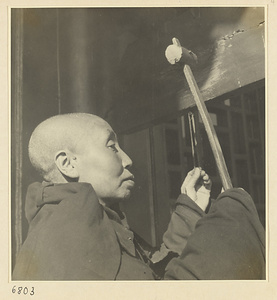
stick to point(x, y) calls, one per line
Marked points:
point(175, 53)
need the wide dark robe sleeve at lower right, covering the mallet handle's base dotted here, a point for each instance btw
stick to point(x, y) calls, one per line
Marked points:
point(228, 243)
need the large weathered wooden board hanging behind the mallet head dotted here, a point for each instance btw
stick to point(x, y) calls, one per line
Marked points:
point(229, 43)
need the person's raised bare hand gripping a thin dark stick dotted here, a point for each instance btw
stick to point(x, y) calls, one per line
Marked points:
point(197, 185)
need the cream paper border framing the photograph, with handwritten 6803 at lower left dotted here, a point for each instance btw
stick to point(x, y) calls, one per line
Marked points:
point(142, 290)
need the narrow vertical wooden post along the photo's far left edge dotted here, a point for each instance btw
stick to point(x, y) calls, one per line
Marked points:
point(16, 129)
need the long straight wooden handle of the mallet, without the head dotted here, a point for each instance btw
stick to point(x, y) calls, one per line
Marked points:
point(212, 136)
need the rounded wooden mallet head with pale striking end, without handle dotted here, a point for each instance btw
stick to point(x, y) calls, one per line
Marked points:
point(175, 53)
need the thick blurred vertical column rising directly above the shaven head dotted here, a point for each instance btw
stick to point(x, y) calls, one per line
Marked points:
point(76, 43)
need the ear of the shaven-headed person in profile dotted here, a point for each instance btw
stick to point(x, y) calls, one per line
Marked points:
point(66, 163)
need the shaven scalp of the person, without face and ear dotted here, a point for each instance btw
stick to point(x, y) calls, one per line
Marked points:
point(61, 132)
